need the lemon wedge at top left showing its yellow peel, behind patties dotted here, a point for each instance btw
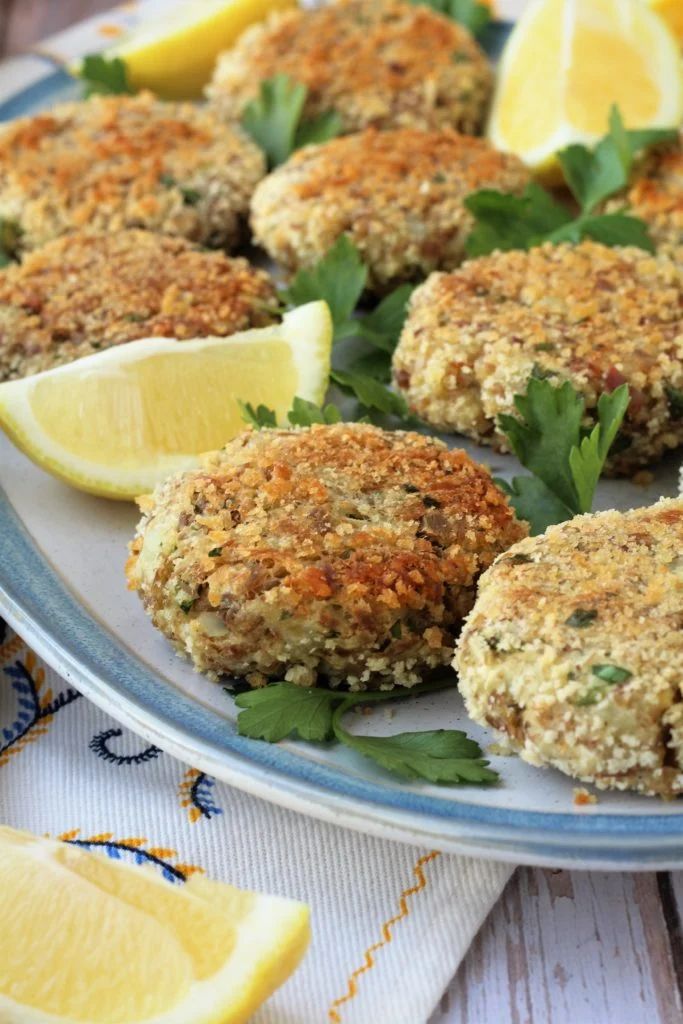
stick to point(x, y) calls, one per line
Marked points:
point(175, 57)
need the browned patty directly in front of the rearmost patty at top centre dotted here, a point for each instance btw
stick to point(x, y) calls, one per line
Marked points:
point(399, 195)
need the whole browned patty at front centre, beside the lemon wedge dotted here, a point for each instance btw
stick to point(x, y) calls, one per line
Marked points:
point(344, 551)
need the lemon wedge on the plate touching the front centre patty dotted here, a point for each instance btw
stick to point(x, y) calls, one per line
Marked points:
point(118, 422)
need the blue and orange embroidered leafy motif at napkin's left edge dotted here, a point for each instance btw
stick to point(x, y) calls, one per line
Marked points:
point(35, 706)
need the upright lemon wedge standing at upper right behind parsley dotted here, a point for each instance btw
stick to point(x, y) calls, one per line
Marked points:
point(568, 62)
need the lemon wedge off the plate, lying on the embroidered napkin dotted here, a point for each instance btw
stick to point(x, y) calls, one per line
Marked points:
point(103, 942)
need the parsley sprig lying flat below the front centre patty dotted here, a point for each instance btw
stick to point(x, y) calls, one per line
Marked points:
point(282, 710)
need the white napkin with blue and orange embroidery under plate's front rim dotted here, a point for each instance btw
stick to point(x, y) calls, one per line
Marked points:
point(391, 923)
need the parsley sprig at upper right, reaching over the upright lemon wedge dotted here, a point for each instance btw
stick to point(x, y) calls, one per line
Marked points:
point(504, 222)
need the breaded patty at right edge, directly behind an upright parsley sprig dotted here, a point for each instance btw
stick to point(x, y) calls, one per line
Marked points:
point(589, 315)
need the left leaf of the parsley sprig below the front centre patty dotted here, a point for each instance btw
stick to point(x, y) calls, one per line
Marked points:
point(285, 710)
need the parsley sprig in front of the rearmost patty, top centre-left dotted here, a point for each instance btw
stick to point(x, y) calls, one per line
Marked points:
point(275, 119)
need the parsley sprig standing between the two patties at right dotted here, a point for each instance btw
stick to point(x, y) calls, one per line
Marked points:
point(549, 441)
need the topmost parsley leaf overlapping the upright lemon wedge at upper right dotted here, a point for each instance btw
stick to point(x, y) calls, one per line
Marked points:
point(594, 176)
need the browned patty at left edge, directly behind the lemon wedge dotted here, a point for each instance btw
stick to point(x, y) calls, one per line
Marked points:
point(87, 292)
